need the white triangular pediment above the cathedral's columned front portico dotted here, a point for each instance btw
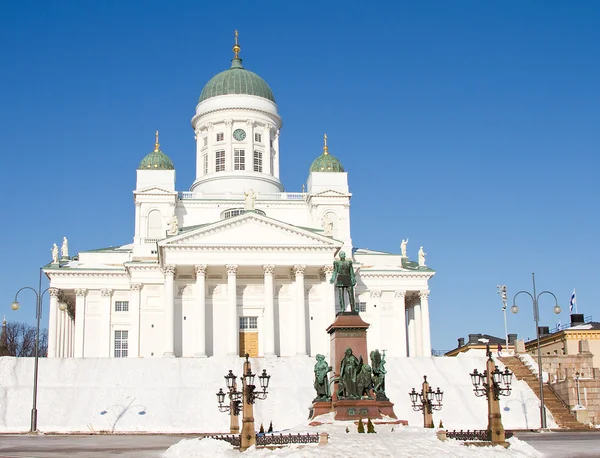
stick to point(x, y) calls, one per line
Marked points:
point(250, 229)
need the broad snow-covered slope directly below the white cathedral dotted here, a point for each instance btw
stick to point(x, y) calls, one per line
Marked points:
point(178, 394)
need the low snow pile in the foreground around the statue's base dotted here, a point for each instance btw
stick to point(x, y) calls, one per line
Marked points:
point(389, 441)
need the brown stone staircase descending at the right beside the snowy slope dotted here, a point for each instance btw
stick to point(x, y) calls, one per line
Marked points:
point(562, 415)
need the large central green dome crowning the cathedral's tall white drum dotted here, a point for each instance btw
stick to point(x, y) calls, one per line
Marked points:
point(236, 80)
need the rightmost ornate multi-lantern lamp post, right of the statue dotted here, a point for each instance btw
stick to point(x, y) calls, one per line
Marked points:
point(492, 384)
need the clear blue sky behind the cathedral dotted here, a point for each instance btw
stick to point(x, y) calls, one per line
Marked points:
point(469, 127)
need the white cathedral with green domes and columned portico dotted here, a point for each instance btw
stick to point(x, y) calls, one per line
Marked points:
point(236, 264)
